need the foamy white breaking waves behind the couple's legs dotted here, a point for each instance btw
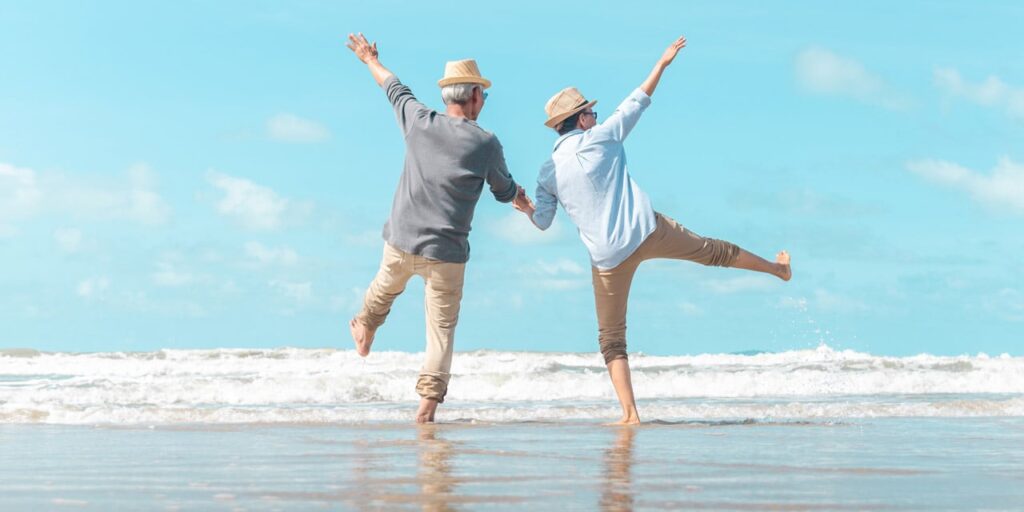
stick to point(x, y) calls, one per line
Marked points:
point(308, 387)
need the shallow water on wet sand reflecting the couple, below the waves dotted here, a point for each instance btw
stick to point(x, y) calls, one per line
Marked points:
point(865, 464)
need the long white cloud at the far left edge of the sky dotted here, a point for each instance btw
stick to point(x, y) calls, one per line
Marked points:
point(26, 193)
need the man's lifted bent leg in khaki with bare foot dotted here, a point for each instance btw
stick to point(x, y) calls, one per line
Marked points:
point(391, 282)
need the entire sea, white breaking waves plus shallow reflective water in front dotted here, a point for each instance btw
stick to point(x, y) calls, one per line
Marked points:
point(300, 430)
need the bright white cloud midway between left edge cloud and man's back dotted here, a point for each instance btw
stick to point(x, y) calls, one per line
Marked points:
point(254, 206)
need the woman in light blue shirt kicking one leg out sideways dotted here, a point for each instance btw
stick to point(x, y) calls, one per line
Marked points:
point(587, 176)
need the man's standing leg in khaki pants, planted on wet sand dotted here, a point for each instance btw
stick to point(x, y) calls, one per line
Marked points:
point(443, 300)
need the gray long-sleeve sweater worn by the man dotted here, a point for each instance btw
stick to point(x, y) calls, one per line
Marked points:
point(448, 160)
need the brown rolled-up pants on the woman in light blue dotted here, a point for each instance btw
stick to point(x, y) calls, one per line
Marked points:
point(612, 287)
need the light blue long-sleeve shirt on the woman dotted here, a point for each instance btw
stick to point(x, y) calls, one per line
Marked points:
point(587, 176)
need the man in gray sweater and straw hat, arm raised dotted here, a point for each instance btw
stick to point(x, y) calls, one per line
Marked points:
point(448, 160)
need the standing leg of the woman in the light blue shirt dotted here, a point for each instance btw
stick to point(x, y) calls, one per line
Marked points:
point(612, 292)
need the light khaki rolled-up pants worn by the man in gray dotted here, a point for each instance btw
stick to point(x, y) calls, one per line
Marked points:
point(442, 300)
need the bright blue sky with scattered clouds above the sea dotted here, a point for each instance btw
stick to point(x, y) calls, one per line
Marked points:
point(197, 175)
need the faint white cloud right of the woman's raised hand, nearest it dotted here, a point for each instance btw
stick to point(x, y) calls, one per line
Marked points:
point(823, 72)
